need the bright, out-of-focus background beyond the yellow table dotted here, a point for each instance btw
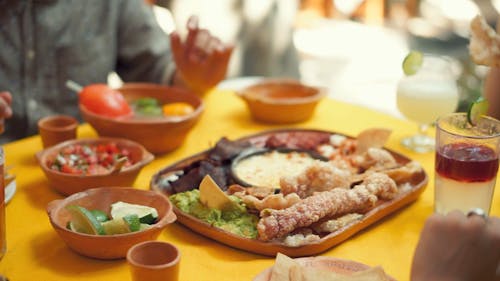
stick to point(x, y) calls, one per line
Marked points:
point(353, 47)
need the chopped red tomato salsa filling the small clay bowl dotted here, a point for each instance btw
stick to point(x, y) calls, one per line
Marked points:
point(89, 159)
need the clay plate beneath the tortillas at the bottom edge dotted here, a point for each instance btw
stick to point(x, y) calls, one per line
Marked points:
point(332, 264)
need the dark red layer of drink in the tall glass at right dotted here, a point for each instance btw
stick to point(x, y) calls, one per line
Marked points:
point(466, 162)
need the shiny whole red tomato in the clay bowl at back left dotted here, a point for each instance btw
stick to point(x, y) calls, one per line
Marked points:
point(102, 100)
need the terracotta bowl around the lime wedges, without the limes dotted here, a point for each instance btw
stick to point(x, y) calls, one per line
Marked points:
point(108, 246)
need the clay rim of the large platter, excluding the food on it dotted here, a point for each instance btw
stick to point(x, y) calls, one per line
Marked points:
point(382, 208)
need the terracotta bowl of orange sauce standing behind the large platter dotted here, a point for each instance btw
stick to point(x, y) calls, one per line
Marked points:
point(281, 101)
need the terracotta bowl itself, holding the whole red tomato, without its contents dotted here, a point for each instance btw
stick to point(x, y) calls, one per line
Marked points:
point(158, 135)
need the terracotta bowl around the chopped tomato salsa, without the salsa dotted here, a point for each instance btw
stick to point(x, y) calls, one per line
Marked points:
point(67, 184)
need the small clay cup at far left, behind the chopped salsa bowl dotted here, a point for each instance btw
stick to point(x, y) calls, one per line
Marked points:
point(56, 129)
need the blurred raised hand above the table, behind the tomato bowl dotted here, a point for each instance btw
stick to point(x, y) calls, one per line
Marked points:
point(202, 59)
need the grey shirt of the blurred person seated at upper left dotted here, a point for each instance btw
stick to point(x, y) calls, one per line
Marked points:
point(44, 43)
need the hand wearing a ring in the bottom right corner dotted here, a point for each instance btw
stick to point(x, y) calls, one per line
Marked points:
point(457, 247)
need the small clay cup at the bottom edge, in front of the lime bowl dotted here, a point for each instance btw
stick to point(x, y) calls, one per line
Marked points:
point(154, 261)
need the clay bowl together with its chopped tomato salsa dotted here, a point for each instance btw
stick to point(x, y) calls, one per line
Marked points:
point(76, 165)
